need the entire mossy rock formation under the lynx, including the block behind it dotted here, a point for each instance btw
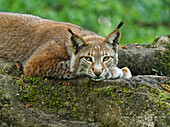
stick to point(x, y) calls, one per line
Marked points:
point(143, 100)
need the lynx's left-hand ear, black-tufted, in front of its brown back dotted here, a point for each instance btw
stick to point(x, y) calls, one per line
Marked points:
point(78, 42)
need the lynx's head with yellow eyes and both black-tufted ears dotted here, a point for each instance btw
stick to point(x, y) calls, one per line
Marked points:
point(93, 55)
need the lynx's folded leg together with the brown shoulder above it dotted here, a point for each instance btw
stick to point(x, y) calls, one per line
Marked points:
point(49, 60)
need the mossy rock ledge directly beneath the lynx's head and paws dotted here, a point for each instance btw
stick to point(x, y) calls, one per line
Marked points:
point(110, 102)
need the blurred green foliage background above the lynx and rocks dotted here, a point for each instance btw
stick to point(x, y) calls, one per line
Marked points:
point(144, 20)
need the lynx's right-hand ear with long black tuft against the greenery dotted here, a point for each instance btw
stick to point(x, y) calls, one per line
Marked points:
point(114, 37)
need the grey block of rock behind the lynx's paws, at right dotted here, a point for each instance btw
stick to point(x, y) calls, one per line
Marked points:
point(146, 59)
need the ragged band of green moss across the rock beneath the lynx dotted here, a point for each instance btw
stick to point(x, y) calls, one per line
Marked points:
point(71, 101)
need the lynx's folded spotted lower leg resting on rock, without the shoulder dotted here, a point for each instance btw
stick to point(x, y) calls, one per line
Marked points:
point(39, 65)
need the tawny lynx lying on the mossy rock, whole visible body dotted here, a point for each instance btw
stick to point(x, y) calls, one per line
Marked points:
point(57, 49)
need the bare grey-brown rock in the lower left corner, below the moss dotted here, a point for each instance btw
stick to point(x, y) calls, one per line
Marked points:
point(13, 112)
